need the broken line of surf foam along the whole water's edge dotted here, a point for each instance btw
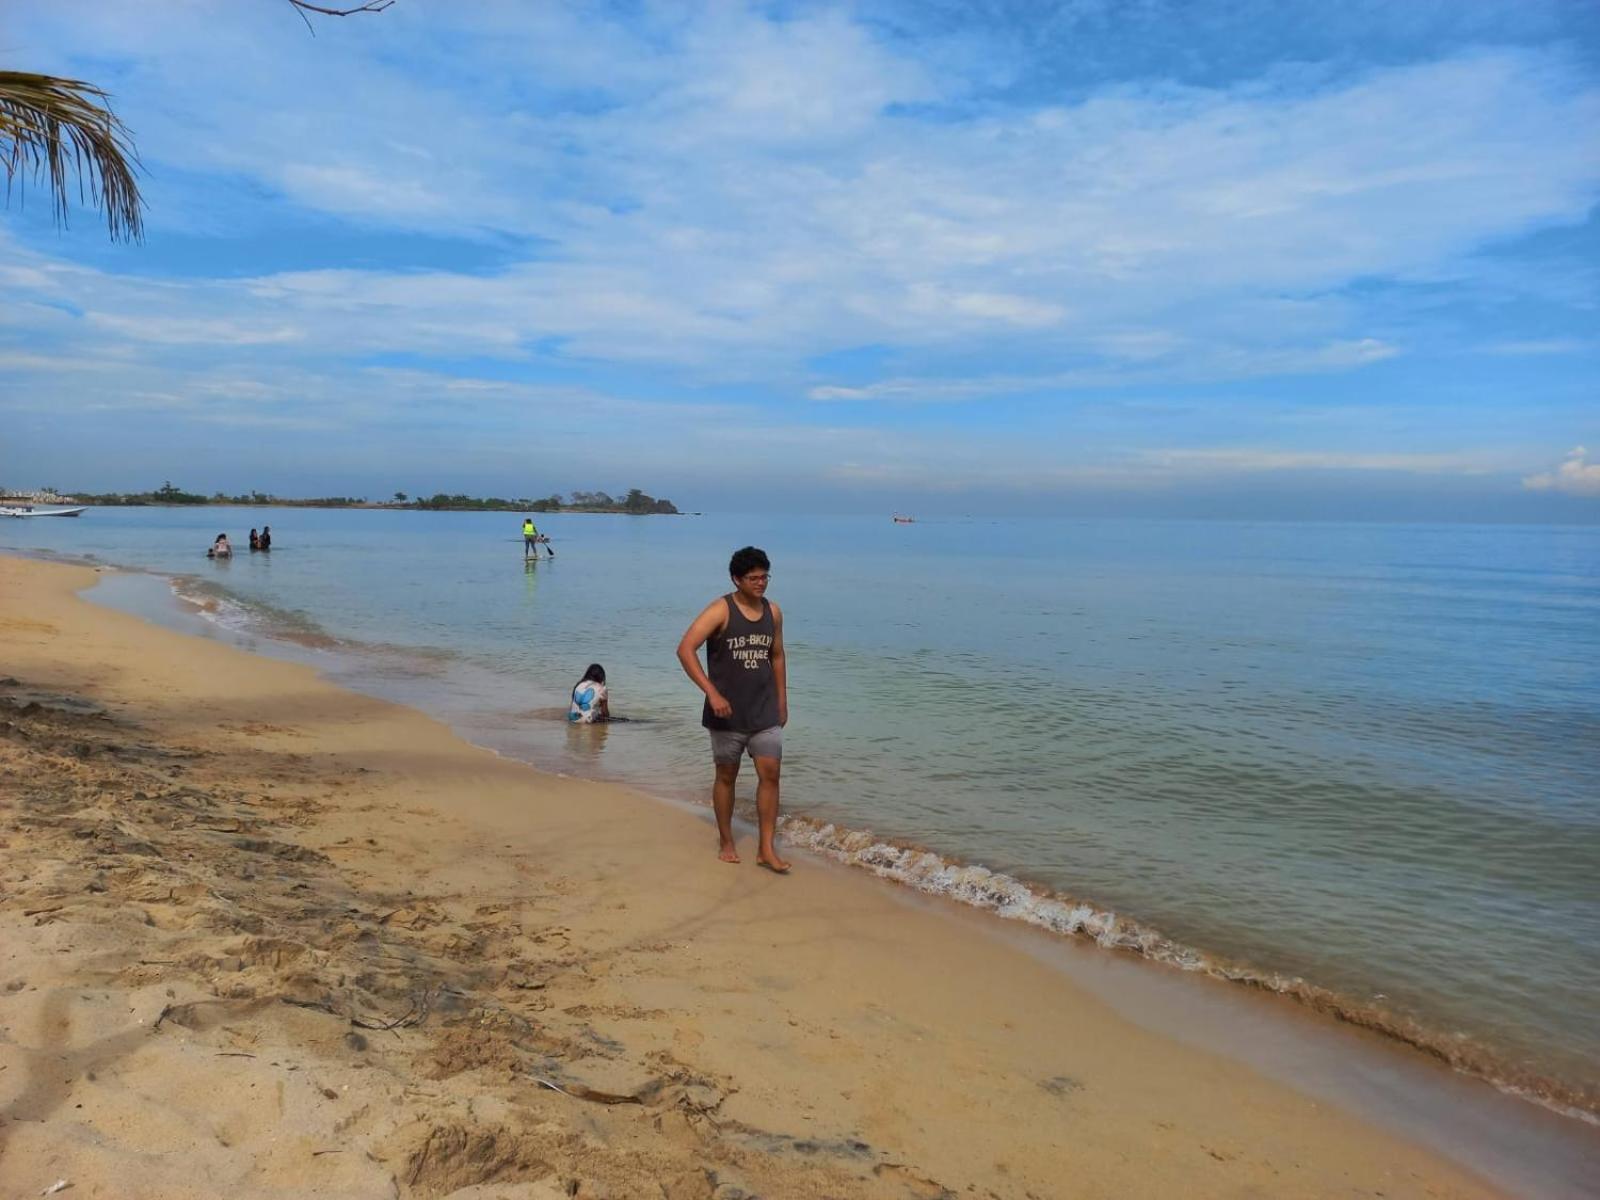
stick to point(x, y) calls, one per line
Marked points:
point(1010, 898)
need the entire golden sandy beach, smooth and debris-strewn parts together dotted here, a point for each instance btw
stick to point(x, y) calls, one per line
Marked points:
point(266, 938)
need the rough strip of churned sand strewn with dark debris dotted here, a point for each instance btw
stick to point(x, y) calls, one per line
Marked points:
point(215, 895)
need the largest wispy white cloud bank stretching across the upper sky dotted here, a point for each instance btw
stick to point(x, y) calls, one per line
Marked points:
point(713, 186)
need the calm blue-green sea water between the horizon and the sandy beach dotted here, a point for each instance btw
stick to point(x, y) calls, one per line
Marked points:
point(1351, 761)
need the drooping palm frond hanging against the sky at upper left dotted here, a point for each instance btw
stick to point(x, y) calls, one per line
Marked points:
point(52, 129)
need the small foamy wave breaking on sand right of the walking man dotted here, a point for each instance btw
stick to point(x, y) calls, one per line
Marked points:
point(1066, 916)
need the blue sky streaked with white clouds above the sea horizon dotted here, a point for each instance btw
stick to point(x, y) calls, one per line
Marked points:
point(1252, 260)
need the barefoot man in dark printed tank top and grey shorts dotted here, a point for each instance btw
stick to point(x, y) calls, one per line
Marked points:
point(746, 695)
